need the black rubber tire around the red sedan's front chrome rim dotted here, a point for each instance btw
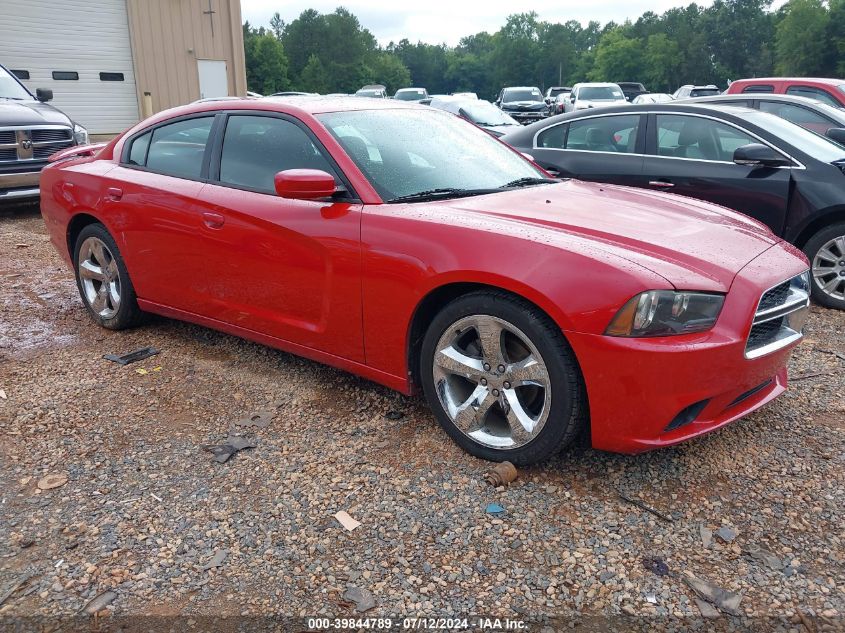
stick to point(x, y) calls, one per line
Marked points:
point(568, 408)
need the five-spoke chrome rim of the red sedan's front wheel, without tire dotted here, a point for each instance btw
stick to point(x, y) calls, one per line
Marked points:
point(492, 382)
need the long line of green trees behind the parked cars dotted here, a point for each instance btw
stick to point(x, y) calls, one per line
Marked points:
point(730, 39)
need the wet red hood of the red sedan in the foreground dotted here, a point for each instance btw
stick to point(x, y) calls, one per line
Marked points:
point(693, 245)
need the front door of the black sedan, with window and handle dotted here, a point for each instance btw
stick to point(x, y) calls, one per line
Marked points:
point(692, 155)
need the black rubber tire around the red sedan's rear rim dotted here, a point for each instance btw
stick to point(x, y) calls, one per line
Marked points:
point(127, 313)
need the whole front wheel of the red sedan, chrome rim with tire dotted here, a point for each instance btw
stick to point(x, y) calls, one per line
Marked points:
point(501, 379)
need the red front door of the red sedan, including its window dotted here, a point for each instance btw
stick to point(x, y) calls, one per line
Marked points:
point(287, 268)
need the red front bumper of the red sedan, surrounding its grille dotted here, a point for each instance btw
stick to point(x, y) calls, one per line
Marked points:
point(649, 393)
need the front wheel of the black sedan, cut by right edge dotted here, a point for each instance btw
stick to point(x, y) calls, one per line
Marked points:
point(826, 252)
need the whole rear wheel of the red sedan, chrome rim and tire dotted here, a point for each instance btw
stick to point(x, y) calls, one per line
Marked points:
point(103, 280)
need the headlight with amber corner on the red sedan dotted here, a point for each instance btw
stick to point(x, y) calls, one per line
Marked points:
point(666, 312)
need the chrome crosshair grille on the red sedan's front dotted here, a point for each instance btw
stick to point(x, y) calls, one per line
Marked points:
point(780, 316)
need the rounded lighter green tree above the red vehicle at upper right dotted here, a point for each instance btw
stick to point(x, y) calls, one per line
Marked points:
point(800, 43)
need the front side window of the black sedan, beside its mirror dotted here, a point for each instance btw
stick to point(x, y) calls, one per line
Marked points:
point(694, 137)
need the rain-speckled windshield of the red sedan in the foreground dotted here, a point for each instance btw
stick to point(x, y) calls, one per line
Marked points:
point(410, 153)
